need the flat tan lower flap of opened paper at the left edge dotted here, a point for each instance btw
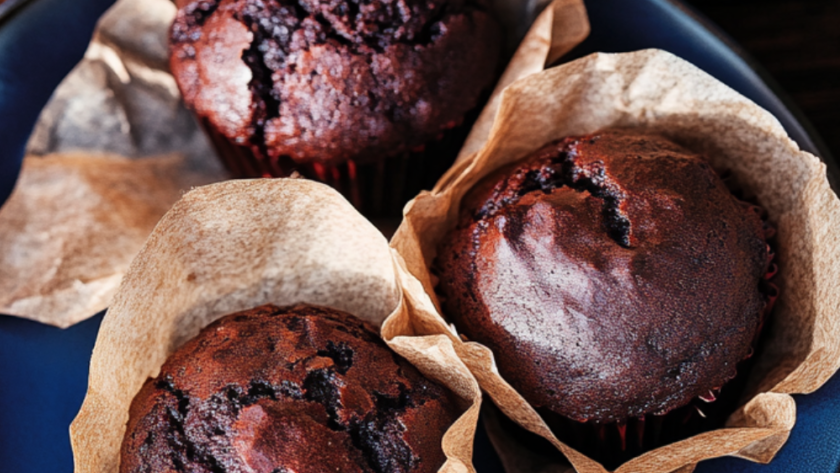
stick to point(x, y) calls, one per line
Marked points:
point(72, 225)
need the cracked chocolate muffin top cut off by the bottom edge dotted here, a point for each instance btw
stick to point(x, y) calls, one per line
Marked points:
point(303, 389)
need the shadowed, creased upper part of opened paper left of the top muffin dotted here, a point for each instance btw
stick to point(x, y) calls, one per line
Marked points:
point(121, 98)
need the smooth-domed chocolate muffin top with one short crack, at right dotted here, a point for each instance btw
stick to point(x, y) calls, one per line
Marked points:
point(612, 275)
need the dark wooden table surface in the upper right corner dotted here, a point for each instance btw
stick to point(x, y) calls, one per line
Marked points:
point(798, 43)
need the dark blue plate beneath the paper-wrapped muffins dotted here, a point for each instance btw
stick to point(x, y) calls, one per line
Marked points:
point(43, 370)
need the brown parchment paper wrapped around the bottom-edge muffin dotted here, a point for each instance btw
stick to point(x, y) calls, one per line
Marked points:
point(236, 245)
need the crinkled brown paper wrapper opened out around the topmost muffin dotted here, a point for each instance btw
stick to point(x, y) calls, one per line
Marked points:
point(59, 268)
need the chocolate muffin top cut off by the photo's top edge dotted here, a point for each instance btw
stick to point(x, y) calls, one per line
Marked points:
point(323, 81)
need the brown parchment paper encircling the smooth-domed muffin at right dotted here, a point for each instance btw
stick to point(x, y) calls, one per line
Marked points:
point(657, 91)
